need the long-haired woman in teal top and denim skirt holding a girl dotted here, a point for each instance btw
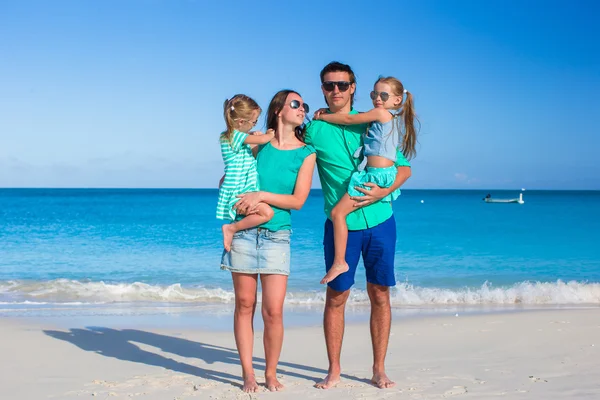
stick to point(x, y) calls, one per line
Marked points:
point(285, 169)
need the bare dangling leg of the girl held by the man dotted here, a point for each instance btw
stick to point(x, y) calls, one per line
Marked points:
point(340, 237)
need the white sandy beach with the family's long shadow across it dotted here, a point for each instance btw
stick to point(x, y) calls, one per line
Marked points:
point(546, 354)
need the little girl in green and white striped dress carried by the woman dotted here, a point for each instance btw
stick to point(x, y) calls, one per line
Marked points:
point(241, 114)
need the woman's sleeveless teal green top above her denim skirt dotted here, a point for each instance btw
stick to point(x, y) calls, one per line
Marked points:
point(277, 173)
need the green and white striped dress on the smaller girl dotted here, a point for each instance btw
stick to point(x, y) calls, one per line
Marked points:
point(240, 174)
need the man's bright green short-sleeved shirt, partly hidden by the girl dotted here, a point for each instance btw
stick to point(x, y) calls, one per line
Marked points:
point(335, 146)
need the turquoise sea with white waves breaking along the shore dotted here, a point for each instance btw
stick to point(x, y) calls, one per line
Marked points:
point(125, 248)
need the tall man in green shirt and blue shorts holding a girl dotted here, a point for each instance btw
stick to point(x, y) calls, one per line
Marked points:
point(371, 228)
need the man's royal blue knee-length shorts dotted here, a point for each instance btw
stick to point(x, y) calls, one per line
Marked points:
point(377, 246)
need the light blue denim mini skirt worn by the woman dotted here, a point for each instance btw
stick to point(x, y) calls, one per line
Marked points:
point(258, 251)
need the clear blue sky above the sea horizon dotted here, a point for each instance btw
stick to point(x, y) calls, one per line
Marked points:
point(129, 93)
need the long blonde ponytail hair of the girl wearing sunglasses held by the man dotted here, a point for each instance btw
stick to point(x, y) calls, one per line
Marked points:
point(405, 116)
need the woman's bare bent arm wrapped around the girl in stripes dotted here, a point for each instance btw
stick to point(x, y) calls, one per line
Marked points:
point(295, 201)
